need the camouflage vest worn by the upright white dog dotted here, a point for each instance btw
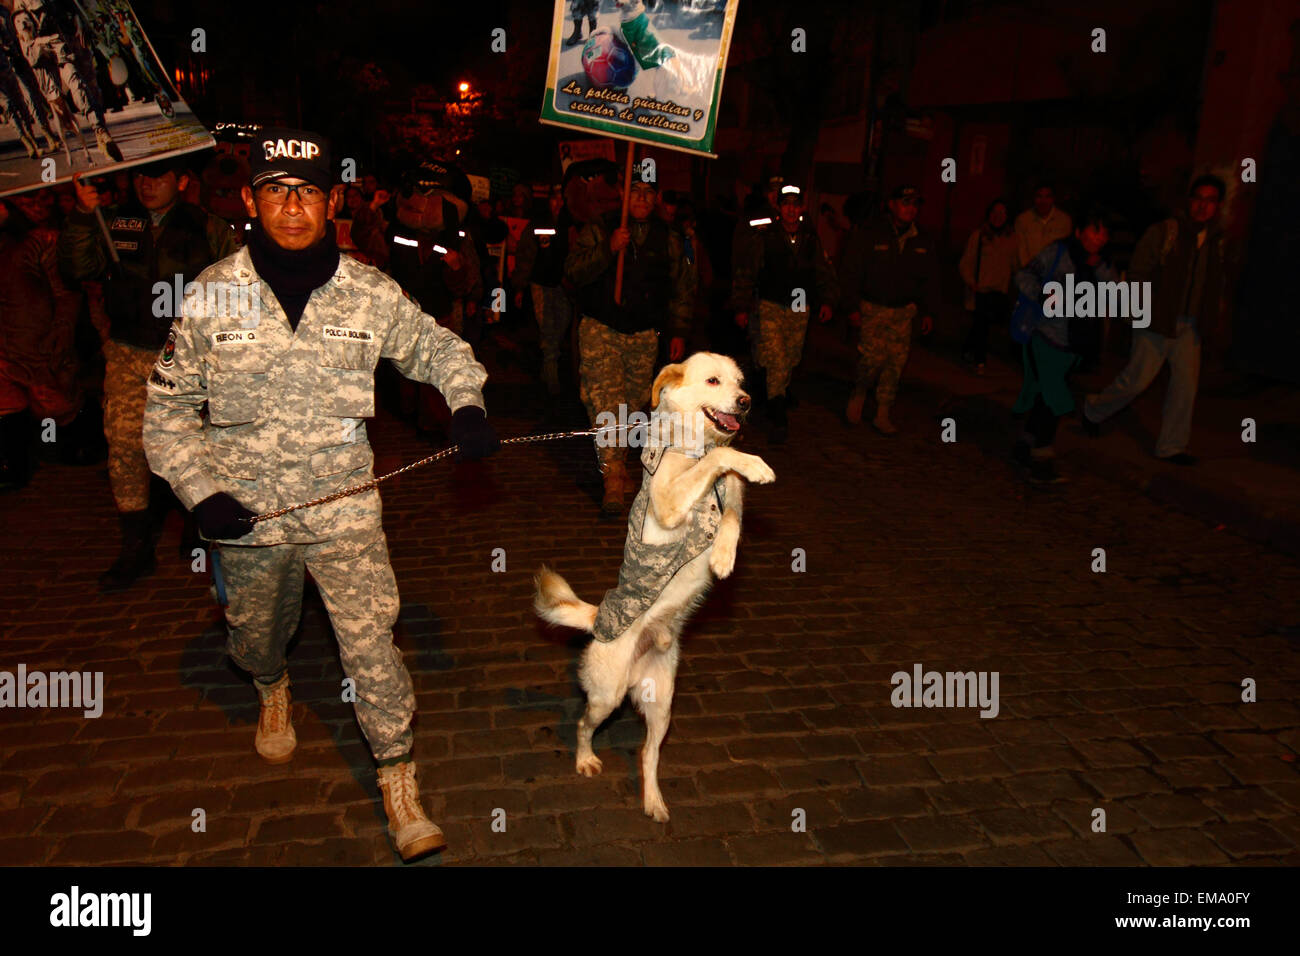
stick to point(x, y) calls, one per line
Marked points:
point(648, 568)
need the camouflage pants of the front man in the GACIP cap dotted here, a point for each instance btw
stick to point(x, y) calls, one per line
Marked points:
point(265, 589)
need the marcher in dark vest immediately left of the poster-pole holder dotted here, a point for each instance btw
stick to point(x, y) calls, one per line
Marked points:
point(540, 269)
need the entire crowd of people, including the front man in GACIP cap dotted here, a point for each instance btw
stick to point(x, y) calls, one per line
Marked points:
point(261, 403)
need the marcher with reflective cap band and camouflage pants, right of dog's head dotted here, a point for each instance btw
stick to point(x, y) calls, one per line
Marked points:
point(783, 270)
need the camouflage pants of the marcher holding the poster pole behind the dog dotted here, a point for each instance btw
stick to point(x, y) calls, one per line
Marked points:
point(614, 370)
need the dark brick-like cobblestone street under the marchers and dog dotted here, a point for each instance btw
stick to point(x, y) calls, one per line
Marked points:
point(1120, 691)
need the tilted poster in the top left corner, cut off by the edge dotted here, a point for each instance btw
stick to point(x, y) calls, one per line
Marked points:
point(83, 92)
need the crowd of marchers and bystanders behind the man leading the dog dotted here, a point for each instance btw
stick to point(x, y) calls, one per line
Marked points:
point(81, 334)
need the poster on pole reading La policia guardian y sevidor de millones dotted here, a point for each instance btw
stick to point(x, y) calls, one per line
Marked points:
point(623, 71)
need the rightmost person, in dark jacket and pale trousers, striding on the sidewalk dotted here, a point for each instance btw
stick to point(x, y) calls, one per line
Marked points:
point(1185, 261)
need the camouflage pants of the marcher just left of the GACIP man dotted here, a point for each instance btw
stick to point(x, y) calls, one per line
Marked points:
point(125, 373)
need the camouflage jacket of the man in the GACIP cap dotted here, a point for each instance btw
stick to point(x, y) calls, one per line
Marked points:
point(287, 413)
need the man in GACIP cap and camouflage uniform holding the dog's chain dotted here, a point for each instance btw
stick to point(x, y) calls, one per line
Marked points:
point(287, 370)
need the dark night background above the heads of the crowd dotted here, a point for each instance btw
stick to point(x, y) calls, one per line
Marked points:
point(883, 94)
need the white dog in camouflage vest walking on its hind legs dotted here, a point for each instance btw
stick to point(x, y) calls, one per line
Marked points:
point(683, 530)
